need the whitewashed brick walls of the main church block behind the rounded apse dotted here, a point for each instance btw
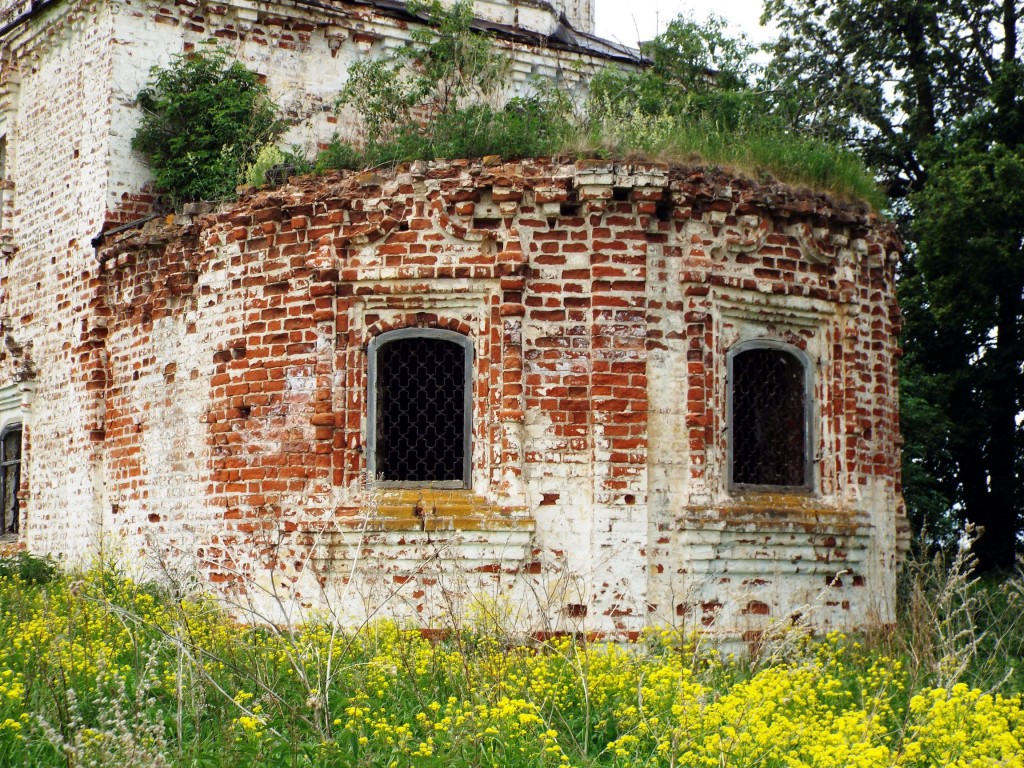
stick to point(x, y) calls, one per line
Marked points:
point(70, 71)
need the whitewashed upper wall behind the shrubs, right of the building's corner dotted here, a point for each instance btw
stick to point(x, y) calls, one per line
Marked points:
point(305, 71)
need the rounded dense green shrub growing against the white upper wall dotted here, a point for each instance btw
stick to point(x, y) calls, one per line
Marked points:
point(204, 120)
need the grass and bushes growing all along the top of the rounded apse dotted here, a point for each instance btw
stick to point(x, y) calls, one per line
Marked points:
point(209, 125)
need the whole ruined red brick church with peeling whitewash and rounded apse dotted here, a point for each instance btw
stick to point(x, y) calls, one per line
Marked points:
point(603, 396)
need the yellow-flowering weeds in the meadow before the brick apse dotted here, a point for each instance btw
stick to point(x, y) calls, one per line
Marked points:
point(662, 706)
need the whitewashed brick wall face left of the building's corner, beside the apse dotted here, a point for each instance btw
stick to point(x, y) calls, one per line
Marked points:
point(58, 141)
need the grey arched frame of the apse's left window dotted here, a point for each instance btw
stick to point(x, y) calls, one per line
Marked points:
point(373, 405)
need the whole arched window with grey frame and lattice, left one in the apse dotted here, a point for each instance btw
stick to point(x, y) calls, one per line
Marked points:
point(420, 409)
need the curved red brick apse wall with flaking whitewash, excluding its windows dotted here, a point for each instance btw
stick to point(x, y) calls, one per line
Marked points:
point(602, 303)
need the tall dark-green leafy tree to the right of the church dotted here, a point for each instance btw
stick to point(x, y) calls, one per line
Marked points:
point(930, 94)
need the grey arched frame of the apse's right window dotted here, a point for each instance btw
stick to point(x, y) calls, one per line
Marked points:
point(809, 408)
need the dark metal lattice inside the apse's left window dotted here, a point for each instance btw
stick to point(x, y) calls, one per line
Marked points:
point(421, 411)
